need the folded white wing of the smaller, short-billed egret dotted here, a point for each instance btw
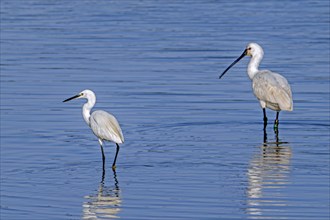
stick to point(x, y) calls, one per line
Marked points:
point(106, 126)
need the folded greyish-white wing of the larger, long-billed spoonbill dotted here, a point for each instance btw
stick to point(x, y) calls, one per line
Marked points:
point(274, 89)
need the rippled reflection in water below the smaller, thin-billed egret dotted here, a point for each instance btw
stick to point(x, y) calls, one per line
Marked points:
point(105, 204)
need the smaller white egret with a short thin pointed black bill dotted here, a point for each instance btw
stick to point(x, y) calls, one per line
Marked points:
point(104, 125)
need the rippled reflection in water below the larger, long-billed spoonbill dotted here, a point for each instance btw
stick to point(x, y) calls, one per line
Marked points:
point(268, 176)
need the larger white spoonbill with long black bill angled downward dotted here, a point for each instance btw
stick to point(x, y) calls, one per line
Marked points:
point(271, 89)
